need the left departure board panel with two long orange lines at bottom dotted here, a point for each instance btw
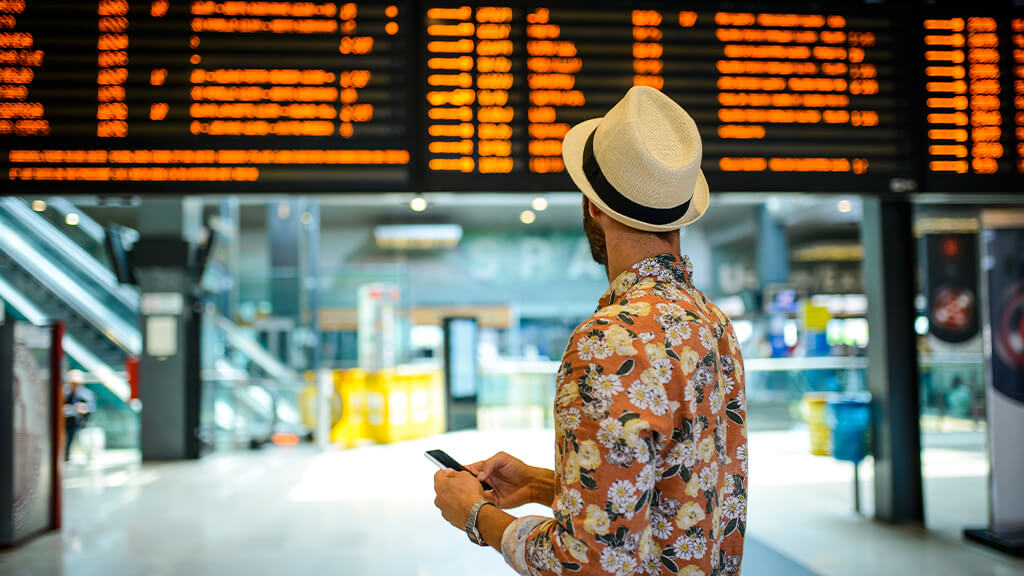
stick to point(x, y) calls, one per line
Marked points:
point(205, 96)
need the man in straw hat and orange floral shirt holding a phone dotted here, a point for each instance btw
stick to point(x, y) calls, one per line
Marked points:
point(651, 466)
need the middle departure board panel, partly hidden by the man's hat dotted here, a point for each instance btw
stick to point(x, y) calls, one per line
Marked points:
point(785, 101)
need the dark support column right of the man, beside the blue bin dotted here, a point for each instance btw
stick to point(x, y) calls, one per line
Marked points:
point(889, 274)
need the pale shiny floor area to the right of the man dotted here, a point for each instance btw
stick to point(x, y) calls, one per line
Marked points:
point(802, 507)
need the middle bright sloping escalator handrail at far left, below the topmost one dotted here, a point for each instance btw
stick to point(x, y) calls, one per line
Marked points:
point(121, 334)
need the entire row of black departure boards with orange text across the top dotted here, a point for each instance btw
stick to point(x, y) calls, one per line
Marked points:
point(115, 97)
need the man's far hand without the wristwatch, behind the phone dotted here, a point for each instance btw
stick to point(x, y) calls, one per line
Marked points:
point(515, 483)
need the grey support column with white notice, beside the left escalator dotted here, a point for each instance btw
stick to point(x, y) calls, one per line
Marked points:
point(169, 321)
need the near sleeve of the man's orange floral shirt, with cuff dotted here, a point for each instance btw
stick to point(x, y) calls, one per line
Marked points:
point(611, 406)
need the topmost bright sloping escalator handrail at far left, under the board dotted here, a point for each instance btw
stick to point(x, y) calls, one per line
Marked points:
point(84, 262)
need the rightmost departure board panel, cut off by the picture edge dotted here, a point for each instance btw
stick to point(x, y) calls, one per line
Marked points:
point(974, 83)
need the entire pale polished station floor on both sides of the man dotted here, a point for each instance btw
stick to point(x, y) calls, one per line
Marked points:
point(370, 512)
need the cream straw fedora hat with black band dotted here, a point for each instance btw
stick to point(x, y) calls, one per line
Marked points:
point(641, 163)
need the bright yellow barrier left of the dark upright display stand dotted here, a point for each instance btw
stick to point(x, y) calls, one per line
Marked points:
point(390, 406)
